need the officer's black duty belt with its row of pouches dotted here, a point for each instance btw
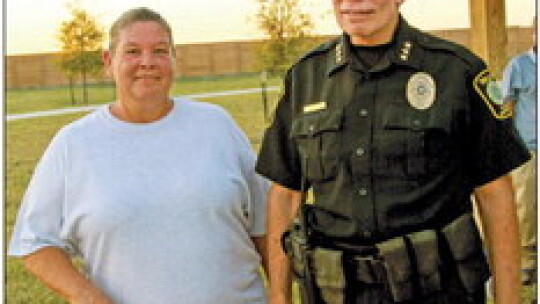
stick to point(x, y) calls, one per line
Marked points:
point(407, 264)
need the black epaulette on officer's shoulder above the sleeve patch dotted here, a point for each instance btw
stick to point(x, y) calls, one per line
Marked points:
point(432, 42)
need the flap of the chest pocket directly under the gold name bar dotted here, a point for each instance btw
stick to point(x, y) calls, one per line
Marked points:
point(310, 124)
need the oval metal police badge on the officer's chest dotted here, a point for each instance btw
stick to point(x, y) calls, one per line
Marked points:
point(421, 91)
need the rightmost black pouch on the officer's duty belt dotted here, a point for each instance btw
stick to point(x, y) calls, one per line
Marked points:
point(466, 248)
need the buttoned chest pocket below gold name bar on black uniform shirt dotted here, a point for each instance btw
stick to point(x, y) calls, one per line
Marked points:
point(318, 138)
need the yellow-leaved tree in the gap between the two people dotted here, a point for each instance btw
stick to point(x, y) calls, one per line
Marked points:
point(287, 30)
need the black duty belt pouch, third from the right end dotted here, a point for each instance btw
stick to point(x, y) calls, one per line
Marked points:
point(398, 268)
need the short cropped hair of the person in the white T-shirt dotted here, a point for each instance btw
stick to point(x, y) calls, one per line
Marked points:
point(136, 15)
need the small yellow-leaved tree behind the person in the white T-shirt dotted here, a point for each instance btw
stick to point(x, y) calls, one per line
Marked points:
point(81, 39)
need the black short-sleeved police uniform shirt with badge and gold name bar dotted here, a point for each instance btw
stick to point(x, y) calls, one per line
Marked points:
point(379, 166)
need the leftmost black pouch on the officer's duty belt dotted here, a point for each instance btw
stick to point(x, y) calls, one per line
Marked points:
point(329, 275)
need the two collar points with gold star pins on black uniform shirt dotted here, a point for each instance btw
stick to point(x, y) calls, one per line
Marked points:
point(404, 50)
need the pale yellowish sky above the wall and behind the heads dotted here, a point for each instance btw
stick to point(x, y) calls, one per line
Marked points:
point(31, 26)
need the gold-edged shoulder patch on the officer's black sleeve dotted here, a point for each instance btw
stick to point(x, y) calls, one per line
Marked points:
point(490, 93)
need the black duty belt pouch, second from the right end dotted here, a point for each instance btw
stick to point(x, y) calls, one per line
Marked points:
point(426, 250)
